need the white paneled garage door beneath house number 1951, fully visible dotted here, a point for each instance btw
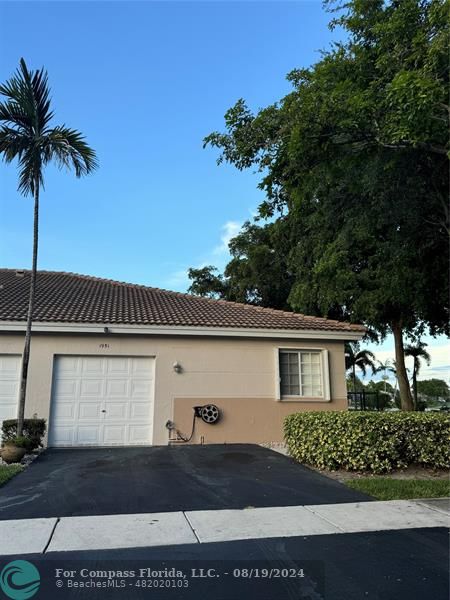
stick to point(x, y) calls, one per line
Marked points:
point(101, 401)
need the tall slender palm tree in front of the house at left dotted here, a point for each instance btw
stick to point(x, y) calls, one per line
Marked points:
point(25, 135)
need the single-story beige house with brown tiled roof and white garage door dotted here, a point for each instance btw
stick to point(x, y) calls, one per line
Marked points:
point(119, 364)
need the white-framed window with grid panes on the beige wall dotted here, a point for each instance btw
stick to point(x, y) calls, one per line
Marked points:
point(301, 373)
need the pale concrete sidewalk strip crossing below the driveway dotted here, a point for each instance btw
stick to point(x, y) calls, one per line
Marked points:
point(28, 536)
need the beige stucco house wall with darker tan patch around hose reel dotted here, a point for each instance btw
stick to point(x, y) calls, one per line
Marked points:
point(237, 374)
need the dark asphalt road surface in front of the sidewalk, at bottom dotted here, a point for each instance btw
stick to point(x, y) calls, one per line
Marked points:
point(384, 565)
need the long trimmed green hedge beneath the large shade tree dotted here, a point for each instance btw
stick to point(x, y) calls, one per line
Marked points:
point(368, 441)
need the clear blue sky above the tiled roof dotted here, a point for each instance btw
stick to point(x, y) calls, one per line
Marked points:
point(146, 81)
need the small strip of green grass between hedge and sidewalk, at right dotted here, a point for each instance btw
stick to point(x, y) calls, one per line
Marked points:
point(385, 488)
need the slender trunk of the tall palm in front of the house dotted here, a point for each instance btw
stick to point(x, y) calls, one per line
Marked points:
point(26, 350)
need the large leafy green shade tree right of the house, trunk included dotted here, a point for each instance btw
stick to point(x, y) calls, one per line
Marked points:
point(355, 159)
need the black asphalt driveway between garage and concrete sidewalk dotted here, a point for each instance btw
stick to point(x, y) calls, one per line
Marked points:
point(78, 482)
